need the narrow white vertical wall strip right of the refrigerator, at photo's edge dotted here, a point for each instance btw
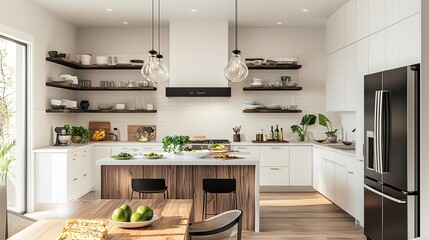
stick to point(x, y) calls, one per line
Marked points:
point(424, 164)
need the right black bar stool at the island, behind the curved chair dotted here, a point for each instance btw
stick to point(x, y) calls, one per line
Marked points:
point(218, 186)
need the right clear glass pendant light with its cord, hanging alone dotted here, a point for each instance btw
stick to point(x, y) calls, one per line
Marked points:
point(236, 70)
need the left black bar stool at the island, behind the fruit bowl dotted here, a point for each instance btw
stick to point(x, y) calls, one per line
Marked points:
point(148, 186)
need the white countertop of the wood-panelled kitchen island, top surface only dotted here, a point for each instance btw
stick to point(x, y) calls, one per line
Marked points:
point(170, 159)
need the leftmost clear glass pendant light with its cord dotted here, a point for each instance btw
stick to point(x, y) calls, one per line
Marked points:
point(151, 70)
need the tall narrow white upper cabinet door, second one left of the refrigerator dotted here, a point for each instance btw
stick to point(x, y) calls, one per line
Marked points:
point(351, 77)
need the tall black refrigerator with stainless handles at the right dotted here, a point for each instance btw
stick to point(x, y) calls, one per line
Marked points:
point(391, 194)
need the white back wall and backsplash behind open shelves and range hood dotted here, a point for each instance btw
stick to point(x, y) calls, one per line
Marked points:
point(213, 117)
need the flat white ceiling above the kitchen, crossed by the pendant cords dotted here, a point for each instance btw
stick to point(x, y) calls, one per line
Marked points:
point(252, 13)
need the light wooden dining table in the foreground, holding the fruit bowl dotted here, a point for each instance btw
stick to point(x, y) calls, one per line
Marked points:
point(174, 217)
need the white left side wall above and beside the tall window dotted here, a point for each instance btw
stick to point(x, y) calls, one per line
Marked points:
point(48, 32)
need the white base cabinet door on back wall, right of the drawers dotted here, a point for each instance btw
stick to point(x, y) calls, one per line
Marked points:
point(300, 166)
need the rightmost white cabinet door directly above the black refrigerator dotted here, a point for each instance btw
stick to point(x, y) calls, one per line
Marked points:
point(410, 40)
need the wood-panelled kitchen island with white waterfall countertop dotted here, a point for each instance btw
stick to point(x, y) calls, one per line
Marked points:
point(184, 178)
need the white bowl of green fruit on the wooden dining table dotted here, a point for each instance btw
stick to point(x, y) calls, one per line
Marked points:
point(123, 217)
